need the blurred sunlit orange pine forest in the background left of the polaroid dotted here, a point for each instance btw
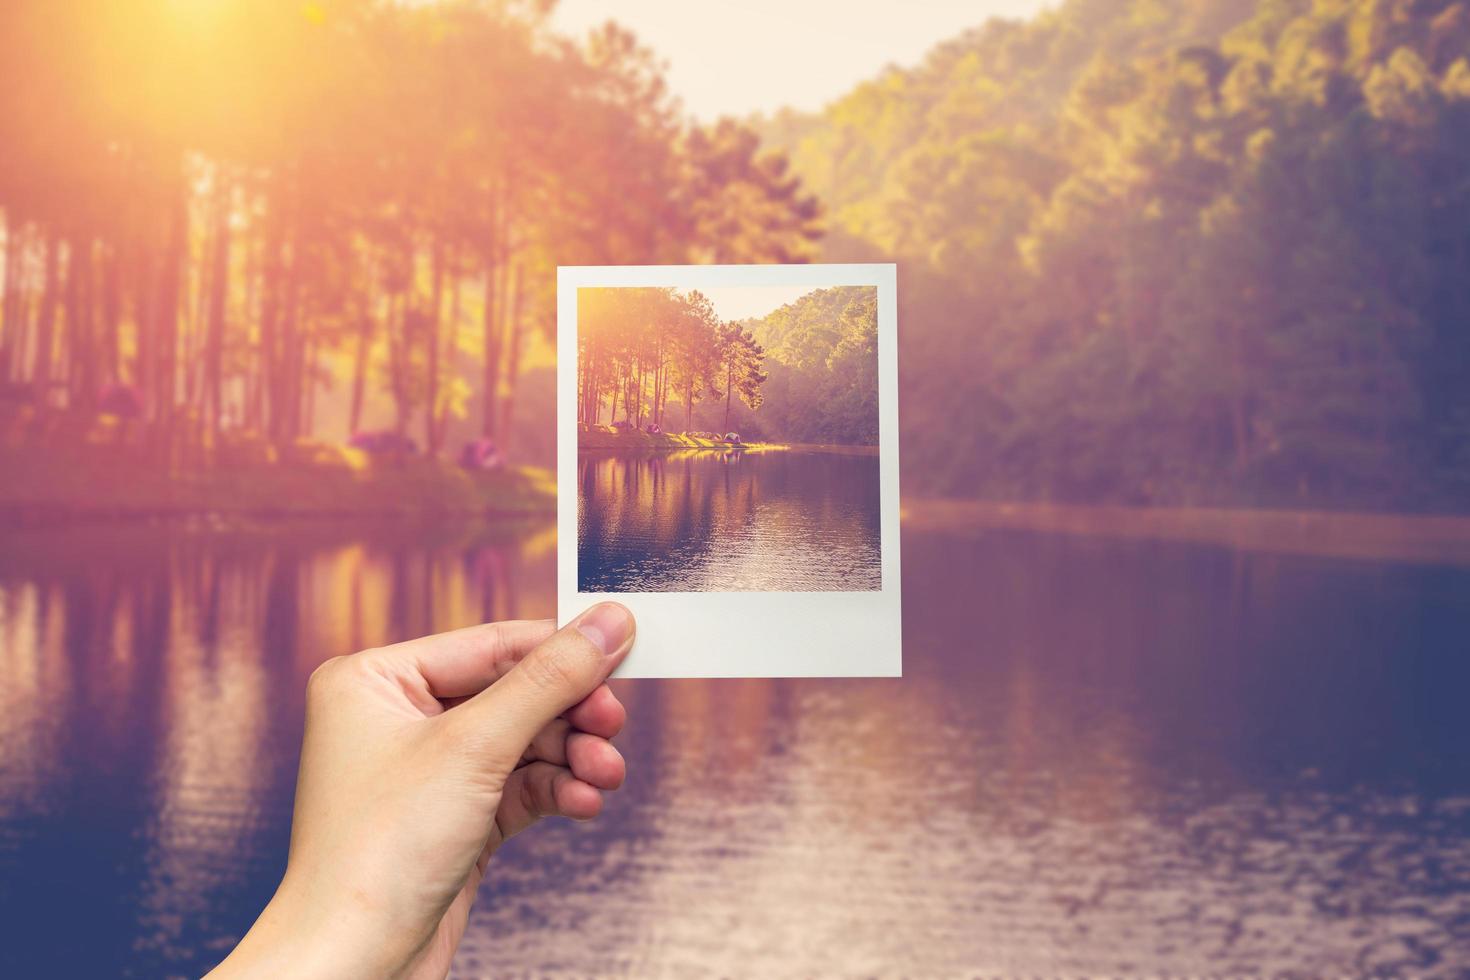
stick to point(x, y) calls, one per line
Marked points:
point(284, 221)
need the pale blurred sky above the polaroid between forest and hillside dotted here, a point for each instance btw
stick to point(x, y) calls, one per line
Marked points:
point(745, 57)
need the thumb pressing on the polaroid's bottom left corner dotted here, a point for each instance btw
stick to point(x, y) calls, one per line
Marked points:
point(556, 675)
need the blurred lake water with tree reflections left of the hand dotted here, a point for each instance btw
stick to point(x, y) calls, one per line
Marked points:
point(151, 716)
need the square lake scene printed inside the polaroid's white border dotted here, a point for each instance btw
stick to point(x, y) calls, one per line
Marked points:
point(728, 440)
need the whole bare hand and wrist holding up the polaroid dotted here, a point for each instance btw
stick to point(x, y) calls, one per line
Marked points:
point(418, 762)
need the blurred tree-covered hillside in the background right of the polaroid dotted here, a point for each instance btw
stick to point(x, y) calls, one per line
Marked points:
point(1191, 252)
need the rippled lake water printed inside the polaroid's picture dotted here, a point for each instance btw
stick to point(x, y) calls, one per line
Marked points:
point(728, 522)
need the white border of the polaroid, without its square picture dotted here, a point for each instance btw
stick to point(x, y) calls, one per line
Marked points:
point(745, 634)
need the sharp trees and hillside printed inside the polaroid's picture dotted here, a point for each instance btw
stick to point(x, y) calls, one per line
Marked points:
point(806, 372)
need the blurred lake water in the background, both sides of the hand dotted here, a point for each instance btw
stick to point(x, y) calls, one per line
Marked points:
point(1106, 759)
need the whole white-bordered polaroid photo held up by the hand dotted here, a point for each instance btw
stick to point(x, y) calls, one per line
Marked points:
point(728, 465)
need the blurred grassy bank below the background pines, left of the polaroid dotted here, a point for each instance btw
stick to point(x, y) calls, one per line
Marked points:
point(104, 469)
